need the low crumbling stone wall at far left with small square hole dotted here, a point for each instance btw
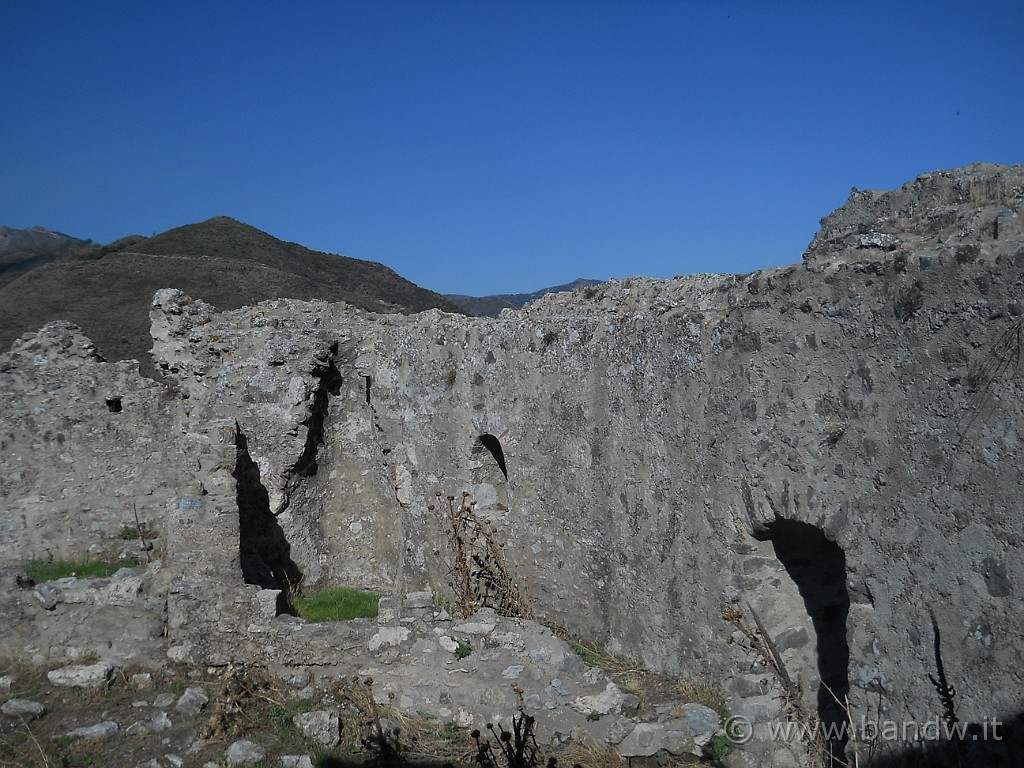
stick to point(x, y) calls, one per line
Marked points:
point(87, 447)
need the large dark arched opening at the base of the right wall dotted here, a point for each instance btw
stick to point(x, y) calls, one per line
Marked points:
point(818, 567)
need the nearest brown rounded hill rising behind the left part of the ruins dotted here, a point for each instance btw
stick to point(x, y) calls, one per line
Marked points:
point(107, 290)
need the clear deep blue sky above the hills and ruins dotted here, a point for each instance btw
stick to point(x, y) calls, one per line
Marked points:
point(487, 147)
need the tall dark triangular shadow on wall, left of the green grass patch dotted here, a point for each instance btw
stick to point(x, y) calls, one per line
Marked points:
point(265, 551)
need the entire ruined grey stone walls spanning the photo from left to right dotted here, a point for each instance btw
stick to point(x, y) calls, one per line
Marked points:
point(832, 448)
